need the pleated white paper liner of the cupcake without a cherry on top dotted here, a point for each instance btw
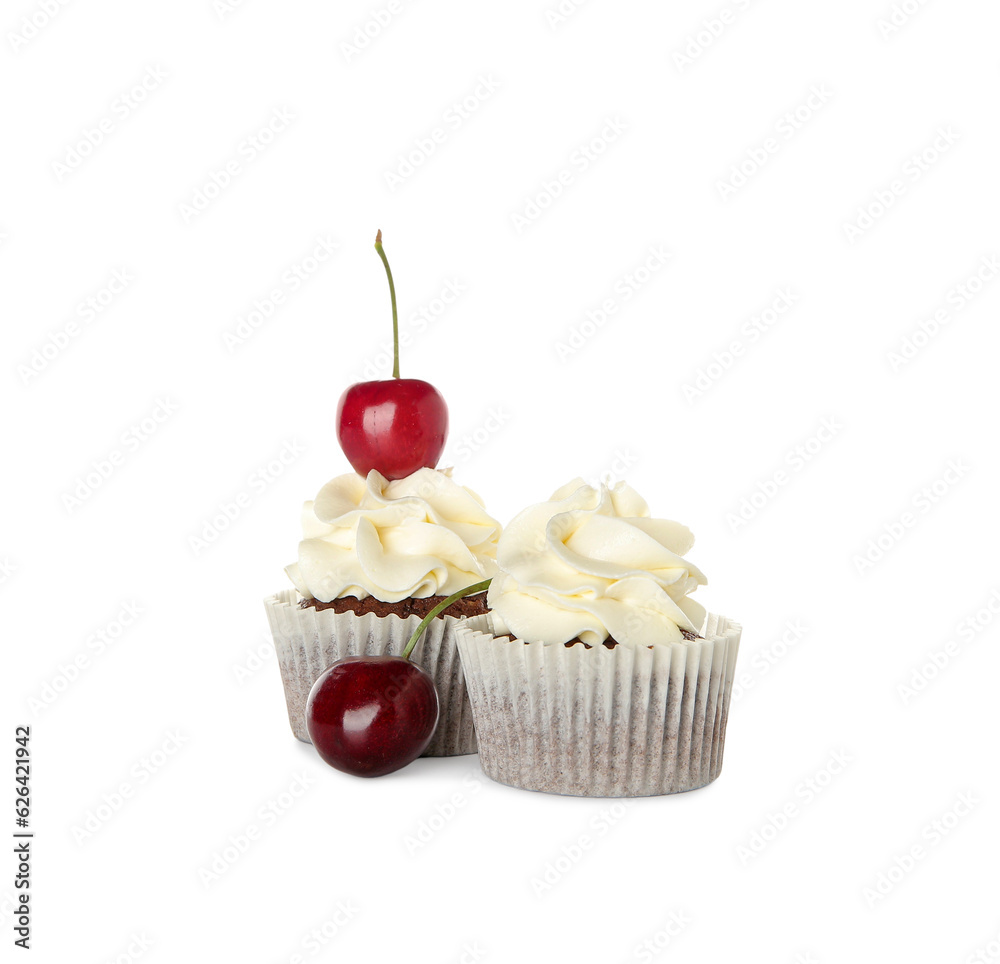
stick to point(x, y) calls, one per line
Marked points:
point(622, 722)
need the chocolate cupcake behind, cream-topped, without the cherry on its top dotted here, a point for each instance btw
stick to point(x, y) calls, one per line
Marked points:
point(375, 558)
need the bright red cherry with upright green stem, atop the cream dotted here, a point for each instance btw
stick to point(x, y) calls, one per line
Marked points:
point(395, 425)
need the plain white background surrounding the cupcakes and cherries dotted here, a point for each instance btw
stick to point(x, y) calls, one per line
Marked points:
point(913, 104)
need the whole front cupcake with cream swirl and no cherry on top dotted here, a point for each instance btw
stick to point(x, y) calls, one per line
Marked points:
point(595, 673)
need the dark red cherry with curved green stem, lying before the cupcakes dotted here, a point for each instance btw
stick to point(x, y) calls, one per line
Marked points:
point(371, 715)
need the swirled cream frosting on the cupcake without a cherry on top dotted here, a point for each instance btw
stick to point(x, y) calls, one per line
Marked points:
point(589, 564)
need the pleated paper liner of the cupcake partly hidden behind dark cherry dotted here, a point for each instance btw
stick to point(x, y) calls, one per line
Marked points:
point(308, 641)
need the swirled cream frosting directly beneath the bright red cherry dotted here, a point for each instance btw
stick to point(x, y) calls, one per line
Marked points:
point(423, 535)
